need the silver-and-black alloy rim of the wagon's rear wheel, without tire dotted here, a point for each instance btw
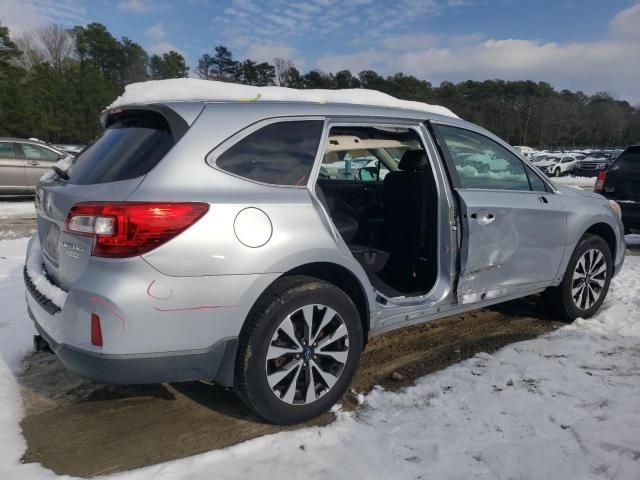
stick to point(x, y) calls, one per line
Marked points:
point(307, 354)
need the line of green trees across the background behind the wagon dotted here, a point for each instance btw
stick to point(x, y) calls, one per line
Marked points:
point(54, 82)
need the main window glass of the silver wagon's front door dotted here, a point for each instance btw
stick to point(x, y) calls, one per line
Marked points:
point(483, 163)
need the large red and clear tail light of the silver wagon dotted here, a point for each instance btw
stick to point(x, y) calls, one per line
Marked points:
point(127, 229)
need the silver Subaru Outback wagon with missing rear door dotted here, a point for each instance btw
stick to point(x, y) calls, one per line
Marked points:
point(259, 244)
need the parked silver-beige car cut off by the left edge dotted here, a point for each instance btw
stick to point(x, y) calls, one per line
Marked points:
point(22, 163)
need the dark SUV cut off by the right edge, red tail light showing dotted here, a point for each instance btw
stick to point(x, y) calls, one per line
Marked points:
point(621, 182)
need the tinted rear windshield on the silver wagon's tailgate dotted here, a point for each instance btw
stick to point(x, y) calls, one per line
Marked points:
point(131, 146)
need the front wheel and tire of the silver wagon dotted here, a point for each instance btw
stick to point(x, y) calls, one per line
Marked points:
point(585, 283)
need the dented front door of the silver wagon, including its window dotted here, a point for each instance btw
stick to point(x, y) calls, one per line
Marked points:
point(514, 225)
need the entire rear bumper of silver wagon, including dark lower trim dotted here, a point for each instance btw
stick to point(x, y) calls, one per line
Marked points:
point(155, 328)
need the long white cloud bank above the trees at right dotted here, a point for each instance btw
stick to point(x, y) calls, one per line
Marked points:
point(610, 64)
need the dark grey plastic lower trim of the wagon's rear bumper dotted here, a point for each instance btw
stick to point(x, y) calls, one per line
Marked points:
point(214, 363)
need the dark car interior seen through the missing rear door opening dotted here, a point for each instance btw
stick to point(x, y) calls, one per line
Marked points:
point(378, 187)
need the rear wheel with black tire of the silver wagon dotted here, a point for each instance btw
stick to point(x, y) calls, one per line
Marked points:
point(298, 351)
